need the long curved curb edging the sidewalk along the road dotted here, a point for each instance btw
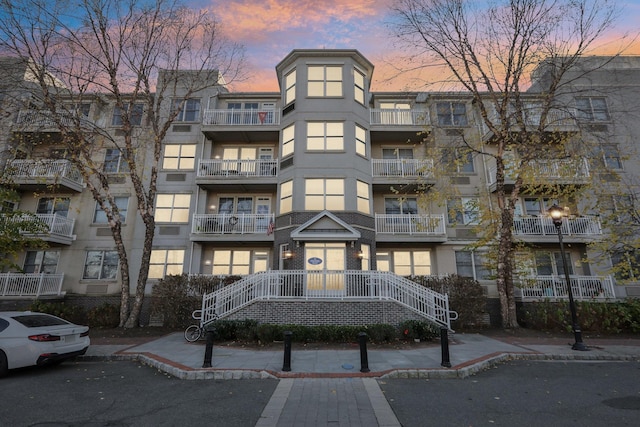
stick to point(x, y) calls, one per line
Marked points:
point(464, 370)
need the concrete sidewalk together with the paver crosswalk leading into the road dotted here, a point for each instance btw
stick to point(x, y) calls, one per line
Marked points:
point(326, 387)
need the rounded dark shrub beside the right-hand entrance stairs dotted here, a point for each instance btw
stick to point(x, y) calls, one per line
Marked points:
point(466, 297)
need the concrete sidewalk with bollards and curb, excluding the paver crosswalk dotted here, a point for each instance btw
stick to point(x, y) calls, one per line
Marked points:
point(469, 353)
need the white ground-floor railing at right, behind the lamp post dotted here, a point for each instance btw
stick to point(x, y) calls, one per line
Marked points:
point(584, 288)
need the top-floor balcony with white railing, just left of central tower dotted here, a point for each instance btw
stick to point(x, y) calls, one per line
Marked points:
point(247, 125)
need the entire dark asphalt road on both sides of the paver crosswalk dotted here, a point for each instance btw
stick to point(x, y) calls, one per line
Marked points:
point(511, 394)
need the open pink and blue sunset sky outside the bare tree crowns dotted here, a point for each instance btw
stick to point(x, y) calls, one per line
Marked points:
point(271, 29)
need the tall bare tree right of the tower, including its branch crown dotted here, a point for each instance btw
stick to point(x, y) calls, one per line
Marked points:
point(490, 51)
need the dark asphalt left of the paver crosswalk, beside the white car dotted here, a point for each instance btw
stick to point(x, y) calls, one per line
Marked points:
point(117, 394)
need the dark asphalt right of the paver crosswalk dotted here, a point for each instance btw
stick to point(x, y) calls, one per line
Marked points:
point(523, 394)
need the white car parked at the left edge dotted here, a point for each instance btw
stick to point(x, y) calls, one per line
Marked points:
point(28, 338)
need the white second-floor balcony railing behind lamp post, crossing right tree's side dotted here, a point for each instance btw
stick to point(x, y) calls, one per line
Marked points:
point(543, 226)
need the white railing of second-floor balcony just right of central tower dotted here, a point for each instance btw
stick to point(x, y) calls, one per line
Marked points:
point(410, 224)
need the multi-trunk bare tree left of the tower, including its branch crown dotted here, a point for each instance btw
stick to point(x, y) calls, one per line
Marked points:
point(130, 53)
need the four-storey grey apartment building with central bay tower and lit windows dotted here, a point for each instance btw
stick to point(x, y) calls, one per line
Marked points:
point(323, 179)
